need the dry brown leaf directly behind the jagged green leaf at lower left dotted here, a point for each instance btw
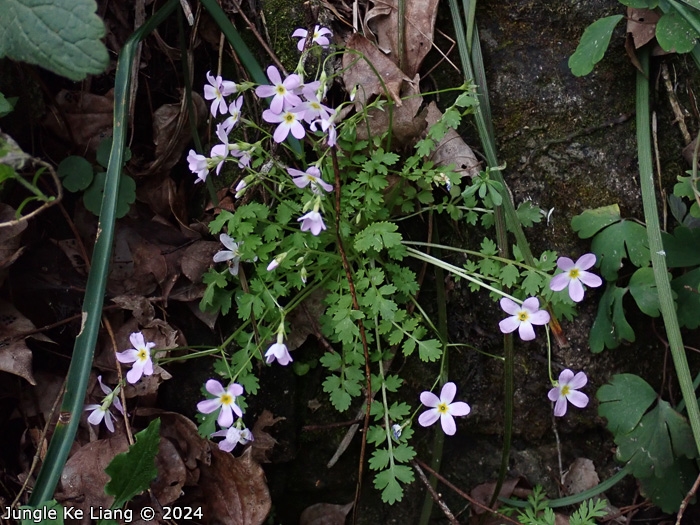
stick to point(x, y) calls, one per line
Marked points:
point(84, 478)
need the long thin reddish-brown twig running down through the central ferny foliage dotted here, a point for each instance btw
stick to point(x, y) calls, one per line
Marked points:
point(360, 325)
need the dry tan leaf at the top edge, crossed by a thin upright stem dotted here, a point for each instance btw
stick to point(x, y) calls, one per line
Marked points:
point(420, 17)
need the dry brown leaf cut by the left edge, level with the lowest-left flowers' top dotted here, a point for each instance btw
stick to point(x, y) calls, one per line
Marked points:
point(15, 355)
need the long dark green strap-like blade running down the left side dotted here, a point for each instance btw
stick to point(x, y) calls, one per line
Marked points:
point(84, 349)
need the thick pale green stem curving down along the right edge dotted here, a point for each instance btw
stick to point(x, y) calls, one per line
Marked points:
point(658, 260)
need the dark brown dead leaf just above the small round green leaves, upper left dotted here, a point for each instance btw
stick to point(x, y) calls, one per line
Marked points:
point(88, 117)
